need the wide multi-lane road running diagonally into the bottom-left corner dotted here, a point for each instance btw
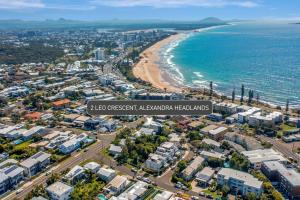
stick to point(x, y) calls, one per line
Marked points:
point(75, 159)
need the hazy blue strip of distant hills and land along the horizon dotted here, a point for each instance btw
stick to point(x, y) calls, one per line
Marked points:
point(109, 24)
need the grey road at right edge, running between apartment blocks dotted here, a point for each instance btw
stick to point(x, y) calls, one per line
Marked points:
point(287, 152)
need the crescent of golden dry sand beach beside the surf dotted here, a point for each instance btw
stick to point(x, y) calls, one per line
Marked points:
point(148, 68)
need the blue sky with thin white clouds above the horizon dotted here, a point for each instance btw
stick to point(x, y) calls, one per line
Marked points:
point(149, 9)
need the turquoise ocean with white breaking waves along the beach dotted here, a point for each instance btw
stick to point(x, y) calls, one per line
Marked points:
point(265, 57)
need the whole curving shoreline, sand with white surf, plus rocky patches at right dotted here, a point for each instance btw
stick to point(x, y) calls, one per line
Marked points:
point(154, 69)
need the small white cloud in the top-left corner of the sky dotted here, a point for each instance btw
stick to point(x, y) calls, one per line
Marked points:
point(21, 4)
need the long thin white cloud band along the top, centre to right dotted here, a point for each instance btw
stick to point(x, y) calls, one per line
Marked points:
point(176, 3)
